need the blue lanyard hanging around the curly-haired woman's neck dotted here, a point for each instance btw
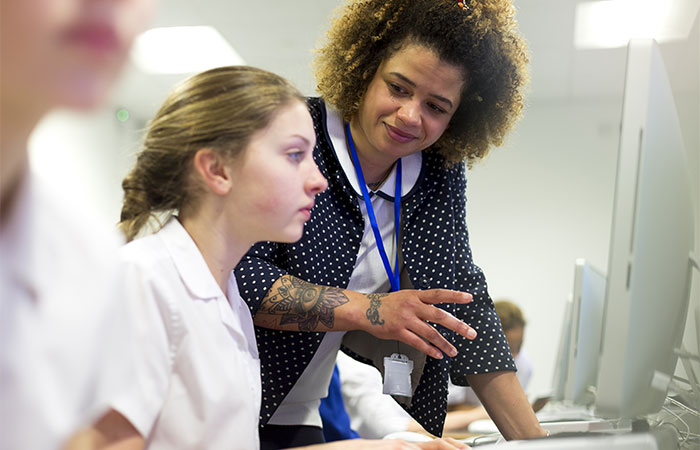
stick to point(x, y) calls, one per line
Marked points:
point(393, 275)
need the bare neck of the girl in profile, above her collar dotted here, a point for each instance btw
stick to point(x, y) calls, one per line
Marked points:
point(214, 240)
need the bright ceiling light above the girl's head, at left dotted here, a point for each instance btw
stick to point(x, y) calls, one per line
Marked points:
point(182, 50)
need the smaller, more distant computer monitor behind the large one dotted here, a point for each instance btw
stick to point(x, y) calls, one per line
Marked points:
point(586, 330)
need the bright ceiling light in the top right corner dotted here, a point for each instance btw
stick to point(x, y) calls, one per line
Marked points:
point(612, 23)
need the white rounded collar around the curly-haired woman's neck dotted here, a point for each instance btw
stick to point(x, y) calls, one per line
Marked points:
point(410, 165)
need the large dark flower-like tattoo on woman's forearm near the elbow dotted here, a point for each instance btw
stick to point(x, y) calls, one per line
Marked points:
point(306, 304)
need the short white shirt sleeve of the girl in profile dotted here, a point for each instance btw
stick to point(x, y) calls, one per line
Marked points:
point(156, 337)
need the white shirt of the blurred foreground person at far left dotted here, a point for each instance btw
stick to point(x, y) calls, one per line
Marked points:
point(65, 333)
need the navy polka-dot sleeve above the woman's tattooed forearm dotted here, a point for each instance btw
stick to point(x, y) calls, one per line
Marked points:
point(257, 272)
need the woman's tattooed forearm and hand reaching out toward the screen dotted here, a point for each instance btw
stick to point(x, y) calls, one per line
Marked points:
point(295, 305)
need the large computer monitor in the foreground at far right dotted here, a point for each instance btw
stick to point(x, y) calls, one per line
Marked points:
point(649, 270)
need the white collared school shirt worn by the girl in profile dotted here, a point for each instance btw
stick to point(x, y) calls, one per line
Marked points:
point(199, 384)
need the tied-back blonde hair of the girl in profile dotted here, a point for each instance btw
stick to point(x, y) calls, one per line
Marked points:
point(218, 109)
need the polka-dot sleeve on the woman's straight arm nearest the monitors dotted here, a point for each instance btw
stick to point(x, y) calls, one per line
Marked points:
point(489, 352)
